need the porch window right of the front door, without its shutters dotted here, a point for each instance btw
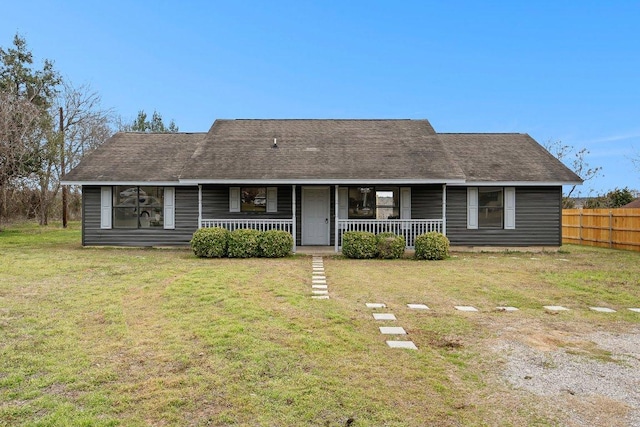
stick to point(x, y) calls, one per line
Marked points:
point(374, 203)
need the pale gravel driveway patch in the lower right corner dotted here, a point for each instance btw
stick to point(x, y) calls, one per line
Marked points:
point(591, 379)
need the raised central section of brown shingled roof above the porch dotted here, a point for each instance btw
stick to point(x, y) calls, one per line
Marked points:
point(322, 150)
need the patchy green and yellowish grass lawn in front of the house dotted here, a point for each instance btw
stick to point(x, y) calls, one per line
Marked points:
point(94, 336)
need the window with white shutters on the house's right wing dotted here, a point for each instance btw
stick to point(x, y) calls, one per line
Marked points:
point(491, 207)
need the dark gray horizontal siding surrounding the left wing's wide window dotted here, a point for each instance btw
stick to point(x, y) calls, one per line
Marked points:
point(186, 220)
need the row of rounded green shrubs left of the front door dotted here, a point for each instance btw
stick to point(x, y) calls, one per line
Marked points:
point(217, 242)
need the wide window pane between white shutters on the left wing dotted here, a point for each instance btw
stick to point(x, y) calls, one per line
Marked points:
point(138, 207)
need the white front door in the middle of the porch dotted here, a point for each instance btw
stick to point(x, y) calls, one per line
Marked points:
point(315, 216)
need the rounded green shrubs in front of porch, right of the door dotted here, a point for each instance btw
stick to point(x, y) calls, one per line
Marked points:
point(366, 245)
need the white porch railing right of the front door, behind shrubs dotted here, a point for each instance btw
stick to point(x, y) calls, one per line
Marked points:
point(407, 228)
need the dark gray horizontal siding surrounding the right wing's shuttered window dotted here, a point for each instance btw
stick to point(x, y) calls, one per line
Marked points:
point(538, 219)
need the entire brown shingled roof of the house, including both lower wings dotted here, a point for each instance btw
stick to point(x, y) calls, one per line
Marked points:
point(320, 151)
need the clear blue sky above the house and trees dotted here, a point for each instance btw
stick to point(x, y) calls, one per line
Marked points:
point(566, 71)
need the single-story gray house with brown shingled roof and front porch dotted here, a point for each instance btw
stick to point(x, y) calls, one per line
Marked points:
point(320, 178)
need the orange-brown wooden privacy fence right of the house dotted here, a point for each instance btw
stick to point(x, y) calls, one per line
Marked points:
point(609, 228)
